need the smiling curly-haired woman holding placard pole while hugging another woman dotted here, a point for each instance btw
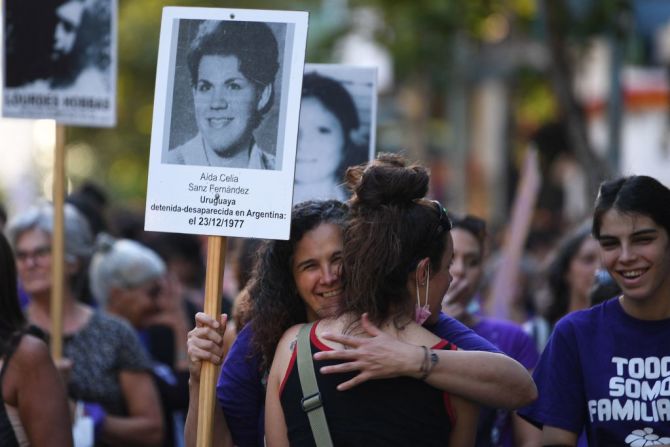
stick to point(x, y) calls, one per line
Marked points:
point(298, 281)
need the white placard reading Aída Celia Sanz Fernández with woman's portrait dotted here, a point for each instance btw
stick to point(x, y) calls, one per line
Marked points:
point(225, 122)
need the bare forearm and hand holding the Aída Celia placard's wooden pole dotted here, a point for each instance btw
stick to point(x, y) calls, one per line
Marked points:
point(205, 342)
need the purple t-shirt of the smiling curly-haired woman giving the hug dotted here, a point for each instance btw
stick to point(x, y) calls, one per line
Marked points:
point(241, 386)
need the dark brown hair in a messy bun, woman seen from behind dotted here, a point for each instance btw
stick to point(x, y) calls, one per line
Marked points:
point(391, 228)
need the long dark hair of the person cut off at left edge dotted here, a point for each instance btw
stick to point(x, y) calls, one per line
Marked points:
point(12, 320)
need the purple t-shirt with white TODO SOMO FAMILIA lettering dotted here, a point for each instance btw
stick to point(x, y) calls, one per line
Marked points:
point(607, 373)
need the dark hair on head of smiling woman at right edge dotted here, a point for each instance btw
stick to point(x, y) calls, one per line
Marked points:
point(635, 194)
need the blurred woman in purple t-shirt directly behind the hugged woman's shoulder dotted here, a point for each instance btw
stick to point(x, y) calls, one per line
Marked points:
point(497, 427)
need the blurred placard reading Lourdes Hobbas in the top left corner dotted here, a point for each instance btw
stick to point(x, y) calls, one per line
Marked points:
point(59, 61)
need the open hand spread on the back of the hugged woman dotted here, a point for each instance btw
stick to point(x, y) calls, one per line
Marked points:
point(379, 356)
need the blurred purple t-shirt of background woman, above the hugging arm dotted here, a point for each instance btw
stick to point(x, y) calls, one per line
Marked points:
point(495, 425)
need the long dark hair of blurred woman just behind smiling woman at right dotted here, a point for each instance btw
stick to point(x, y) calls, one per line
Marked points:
point(556, 280)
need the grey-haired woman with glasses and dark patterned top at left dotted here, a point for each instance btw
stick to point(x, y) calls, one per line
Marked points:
point(110, 372)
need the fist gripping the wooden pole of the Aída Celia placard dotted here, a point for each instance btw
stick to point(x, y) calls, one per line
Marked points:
point(205, 342)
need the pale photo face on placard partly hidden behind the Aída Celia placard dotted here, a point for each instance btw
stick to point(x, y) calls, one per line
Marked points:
point(320, 142)
